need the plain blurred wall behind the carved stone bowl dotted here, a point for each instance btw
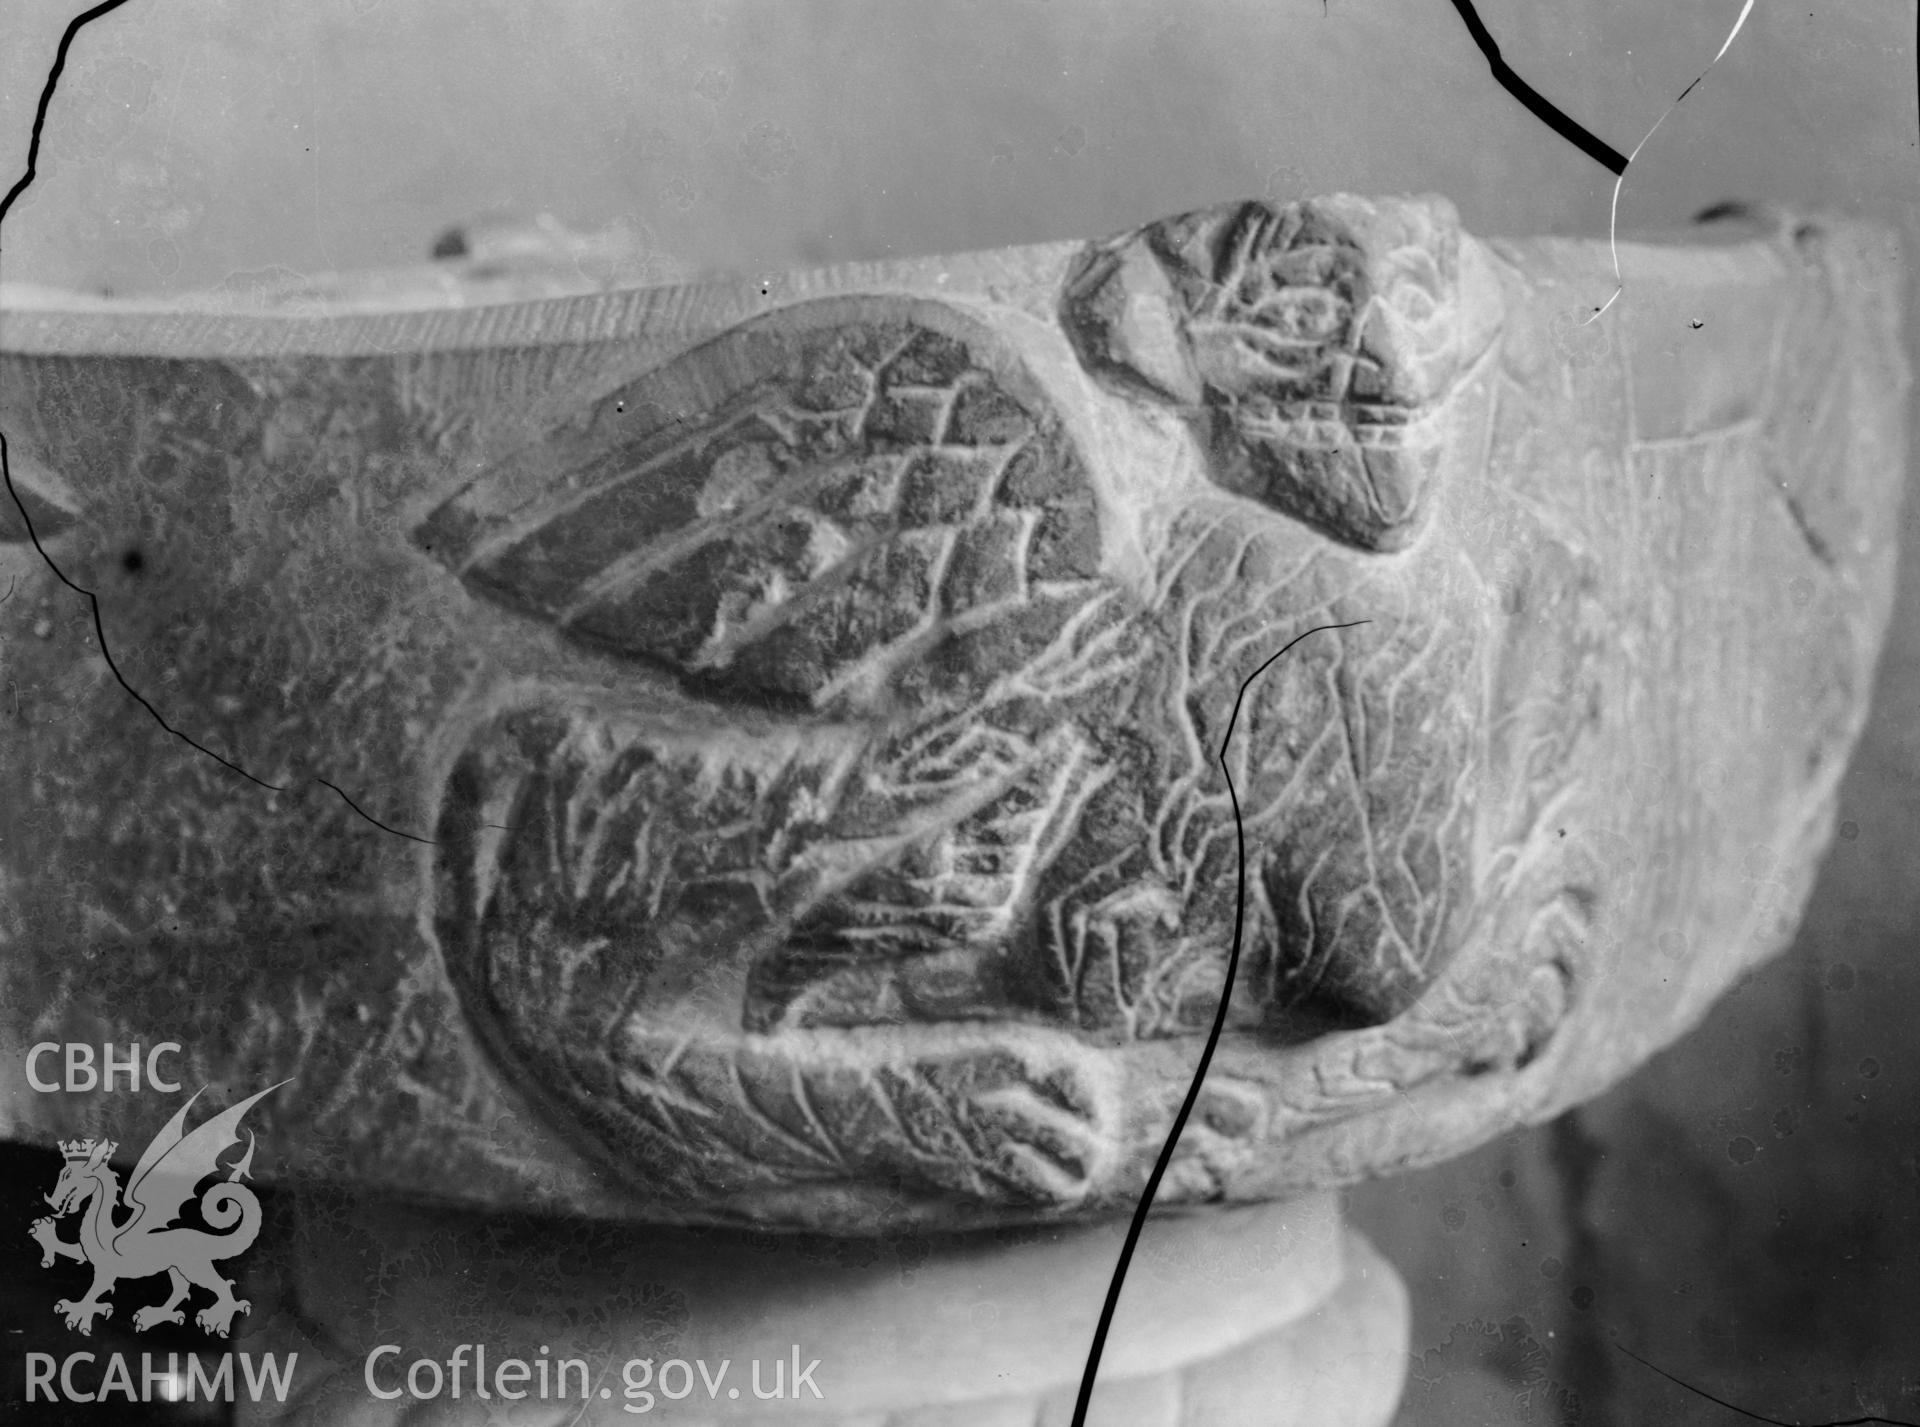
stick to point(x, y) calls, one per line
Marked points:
point(1744, 1211)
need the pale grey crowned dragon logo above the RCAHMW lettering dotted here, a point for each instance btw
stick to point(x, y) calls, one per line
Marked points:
point(149, 1240)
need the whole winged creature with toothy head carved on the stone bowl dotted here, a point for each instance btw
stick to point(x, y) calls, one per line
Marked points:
point(915, 685)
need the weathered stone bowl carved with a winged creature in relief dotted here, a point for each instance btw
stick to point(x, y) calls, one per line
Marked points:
point(784, 742)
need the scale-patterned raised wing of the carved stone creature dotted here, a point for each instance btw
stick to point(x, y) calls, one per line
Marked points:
point(796, 512)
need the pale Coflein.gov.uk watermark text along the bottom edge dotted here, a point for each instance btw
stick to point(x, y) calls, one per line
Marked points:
point(552, 1380)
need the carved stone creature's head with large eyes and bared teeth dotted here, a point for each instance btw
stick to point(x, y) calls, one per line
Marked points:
point(1312, 347)
